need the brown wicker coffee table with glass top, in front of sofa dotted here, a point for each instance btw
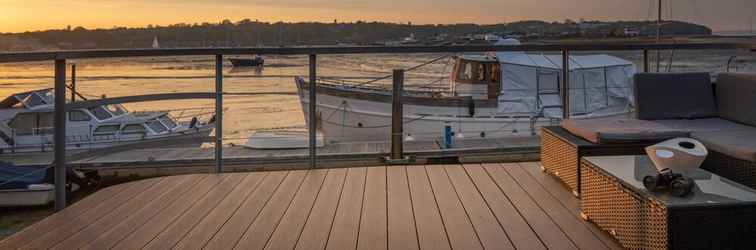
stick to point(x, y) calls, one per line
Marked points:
point(719, 214)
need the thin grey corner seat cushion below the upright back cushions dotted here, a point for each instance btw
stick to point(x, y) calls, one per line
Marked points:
point(703, 125)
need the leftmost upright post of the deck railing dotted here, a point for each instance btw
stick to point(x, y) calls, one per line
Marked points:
point(60, 134)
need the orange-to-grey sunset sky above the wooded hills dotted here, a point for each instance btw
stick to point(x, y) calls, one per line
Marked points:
point(25, 15)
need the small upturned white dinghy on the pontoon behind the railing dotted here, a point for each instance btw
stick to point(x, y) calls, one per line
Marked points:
point(282, 140)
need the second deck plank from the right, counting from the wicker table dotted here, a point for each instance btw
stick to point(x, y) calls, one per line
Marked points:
point(570, 224)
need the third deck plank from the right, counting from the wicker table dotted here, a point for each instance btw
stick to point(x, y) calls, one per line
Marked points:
point(548, 231)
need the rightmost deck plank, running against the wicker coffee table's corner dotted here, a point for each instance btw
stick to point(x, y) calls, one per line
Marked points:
point(564, 196)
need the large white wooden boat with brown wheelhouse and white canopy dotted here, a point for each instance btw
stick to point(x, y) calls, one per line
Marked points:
point(492, 95)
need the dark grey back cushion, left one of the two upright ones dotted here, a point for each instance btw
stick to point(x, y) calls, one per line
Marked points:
point(674, 96)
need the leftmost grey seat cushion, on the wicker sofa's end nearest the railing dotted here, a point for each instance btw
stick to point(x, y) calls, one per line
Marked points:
point(620, 130)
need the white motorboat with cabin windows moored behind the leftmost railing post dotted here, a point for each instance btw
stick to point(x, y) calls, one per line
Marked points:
point(26, 125)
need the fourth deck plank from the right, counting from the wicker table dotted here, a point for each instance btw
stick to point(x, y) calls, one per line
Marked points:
point(518, 230)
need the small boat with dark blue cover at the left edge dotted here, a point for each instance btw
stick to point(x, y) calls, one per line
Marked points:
point(31, 185)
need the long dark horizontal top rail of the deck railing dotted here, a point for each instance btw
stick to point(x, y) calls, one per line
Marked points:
point(323, 50)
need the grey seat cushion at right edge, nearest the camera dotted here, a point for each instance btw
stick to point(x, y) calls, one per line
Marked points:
point(739, 144)
